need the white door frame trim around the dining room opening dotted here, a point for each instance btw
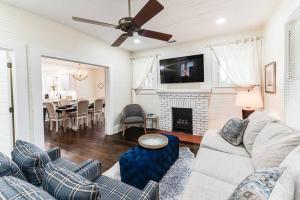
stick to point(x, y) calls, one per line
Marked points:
point(35, 54)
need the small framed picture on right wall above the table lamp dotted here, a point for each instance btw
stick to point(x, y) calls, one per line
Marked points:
point(270, 78)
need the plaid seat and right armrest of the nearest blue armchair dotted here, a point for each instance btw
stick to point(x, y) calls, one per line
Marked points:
point(113, 189)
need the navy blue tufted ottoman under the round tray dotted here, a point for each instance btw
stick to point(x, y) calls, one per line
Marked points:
point(139, 165)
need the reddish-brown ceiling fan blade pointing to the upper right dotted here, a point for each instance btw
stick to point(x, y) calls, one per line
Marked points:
point(152, 8)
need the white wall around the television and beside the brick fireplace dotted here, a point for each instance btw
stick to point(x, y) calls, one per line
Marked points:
point(222, 101)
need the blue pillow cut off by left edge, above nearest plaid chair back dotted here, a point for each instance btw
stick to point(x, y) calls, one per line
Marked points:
point(10, 168)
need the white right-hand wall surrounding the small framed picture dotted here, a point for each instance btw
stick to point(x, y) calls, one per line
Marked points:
point(274, 50)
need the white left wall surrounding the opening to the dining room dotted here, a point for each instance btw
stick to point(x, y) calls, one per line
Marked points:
point(45, 37)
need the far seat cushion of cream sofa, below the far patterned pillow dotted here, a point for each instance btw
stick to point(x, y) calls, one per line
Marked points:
point(213, 140)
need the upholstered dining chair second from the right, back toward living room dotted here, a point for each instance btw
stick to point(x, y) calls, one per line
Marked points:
point(82, 113)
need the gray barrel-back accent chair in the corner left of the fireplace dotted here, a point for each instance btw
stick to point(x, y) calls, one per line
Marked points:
point(133, 115)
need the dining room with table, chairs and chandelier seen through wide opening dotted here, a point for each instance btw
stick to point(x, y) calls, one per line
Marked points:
point(73, 96)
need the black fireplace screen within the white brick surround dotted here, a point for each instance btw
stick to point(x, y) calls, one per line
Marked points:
point(183, 120)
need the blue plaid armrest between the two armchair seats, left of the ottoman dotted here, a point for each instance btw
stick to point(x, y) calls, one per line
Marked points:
point(91, 171)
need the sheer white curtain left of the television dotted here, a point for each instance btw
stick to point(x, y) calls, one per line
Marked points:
point(141, 67)
